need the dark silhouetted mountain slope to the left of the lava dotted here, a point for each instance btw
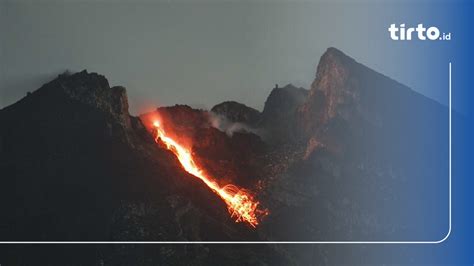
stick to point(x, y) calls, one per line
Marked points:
point(76, 166)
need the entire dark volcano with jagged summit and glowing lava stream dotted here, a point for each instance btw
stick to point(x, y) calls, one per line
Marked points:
point(315, 164)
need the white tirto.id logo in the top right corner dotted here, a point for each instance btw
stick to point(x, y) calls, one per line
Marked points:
point(401, 33)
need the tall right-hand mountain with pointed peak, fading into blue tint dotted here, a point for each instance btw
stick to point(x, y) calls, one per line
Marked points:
point(367, 140)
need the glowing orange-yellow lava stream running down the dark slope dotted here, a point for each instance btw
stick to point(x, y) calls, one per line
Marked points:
point(240, 204)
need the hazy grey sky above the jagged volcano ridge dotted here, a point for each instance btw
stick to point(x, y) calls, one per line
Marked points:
point(201, 53)
